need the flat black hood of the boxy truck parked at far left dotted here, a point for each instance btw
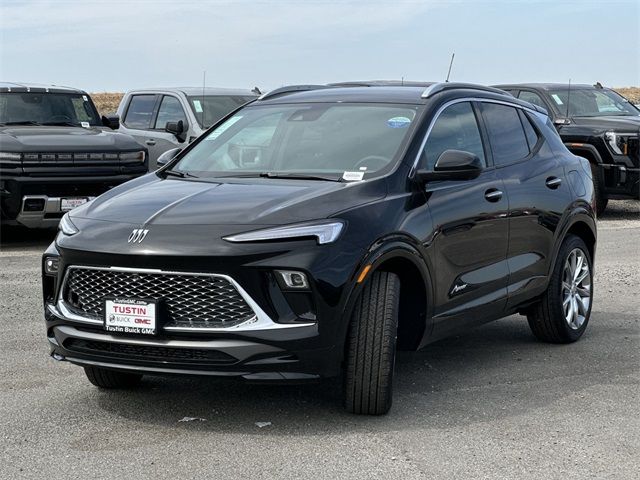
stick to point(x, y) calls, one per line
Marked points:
point(63, 139)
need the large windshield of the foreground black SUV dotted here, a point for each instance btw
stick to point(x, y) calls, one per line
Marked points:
point(331, 141)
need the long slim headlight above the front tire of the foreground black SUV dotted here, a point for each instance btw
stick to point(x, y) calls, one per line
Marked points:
point(324, 232)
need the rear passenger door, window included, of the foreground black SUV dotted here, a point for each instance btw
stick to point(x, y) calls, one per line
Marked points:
point(534, 180)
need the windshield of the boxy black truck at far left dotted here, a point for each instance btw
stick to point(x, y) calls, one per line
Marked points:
point(47, 109)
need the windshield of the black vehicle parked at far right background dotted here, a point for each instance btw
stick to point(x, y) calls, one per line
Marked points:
point(592, 103)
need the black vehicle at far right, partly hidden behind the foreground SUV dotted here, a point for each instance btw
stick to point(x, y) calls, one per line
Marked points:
point(597, 124)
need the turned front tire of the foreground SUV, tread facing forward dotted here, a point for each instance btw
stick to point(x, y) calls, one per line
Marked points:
point(371, 346)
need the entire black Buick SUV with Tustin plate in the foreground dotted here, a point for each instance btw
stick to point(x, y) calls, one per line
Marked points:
point(315, 230)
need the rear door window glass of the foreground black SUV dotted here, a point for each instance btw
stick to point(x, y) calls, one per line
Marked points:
point(506, 134)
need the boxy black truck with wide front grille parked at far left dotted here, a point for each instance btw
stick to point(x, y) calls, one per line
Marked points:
point(56, 153)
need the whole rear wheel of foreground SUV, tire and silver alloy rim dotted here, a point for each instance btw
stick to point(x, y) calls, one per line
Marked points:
point(563, 313)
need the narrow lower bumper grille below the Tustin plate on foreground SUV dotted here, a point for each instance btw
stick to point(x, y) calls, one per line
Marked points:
point(148, 352)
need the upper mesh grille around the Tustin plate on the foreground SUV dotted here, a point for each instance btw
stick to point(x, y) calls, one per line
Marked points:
point(187, 301)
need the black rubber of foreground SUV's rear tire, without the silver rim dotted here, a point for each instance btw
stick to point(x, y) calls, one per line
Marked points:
point(547, 318)
